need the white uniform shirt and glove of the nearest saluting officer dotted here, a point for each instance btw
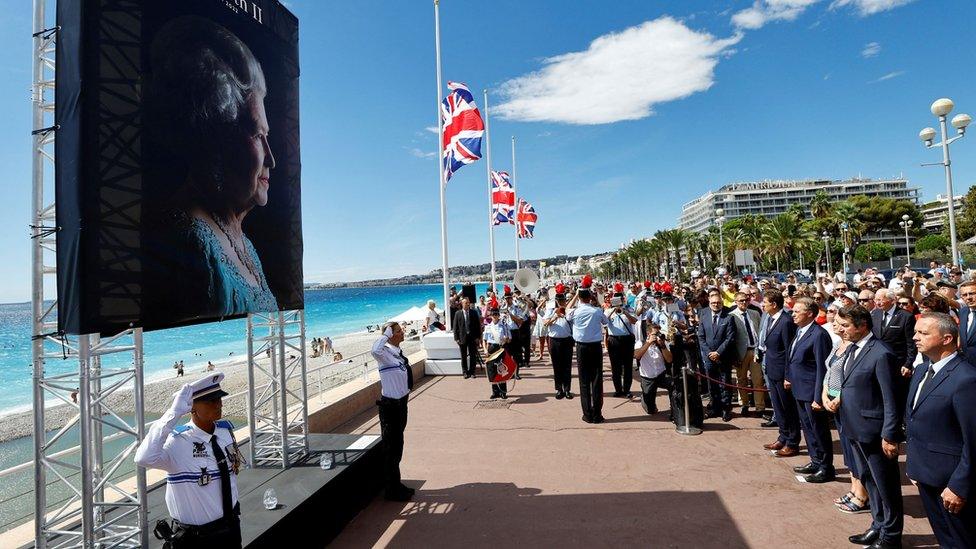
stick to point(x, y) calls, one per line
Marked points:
point(185, 452)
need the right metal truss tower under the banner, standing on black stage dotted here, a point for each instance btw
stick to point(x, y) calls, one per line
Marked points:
point(277, 388)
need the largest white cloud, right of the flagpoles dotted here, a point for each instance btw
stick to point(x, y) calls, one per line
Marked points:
point(621, 76)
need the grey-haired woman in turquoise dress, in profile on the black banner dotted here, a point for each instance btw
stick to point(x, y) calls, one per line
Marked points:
point(207, 109)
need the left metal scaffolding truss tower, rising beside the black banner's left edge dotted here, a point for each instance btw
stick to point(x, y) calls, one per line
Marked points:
point(98, 510)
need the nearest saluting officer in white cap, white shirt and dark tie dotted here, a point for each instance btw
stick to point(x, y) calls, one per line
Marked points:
point(202, 459)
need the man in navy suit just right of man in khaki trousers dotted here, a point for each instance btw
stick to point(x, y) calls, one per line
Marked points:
point(777, 336)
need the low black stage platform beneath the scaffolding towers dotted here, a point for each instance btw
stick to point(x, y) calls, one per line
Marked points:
point(312, 503)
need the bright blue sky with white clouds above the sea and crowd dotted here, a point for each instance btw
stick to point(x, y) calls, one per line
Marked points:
point(621, 115)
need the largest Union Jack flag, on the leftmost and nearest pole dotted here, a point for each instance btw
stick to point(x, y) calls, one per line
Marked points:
point(463, 129)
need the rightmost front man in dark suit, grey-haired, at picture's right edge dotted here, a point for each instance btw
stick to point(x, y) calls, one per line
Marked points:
point(941, 424)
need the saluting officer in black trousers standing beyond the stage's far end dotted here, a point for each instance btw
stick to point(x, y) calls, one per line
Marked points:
point(396, 380)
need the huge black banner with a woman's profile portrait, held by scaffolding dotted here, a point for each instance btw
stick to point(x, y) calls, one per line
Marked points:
point(177, 162)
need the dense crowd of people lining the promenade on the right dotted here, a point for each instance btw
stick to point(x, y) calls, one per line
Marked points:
point(884, 362)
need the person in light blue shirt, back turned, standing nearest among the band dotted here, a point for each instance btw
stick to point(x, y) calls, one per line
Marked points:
point(588, 321)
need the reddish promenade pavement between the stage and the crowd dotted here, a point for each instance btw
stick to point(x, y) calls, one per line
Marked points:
point(530, 473)
